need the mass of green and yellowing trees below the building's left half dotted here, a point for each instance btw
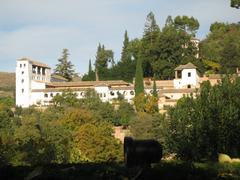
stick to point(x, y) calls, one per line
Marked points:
point(33, 137)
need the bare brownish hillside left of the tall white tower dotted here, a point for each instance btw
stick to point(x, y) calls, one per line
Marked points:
point(7, 84)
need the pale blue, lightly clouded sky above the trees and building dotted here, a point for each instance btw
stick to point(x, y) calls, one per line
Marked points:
point(40, 29)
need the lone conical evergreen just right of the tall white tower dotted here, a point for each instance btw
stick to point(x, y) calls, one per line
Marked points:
point(65, 68)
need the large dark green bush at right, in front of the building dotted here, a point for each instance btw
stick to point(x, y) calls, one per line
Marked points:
point(203, 127)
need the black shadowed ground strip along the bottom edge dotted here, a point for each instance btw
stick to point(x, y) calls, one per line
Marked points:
point(164, 171)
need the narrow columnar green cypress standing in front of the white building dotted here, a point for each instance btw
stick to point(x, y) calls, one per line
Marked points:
point(138, 86)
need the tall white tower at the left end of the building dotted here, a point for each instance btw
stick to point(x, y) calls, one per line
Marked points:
point(27, 73)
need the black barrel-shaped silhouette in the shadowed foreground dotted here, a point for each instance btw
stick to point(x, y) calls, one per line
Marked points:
point(141, 152)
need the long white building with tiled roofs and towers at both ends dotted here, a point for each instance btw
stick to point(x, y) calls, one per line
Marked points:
point(34, 86)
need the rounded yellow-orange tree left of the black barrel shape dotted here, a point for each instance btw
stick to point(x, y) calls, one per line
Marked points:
point(97, 143)
